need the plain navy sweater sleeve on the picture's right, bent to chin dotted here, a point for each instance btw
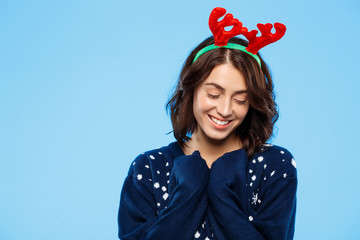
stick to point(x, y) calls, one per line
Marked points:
point(230, 212)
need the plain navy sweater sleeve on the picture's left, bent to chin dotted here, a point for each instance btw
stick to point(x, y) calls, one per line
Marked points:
point(138, 218)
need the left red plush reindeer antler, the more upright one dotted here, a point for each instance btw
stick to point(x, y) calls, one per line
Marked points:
point(221, 36)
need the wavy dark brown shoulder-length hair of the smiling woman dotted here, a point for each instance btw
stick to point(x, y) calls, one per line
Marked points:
point(258, 124)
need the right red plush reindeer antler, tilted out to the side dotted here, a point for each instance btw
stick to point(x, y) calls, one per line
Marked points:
point(256, 43)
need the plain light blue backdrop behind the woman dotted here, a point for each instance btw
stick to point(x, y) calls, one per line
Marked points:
point(83, 86)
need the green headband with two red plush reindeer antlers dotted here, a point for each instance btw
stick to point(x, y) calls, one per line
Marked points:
point(221, 36)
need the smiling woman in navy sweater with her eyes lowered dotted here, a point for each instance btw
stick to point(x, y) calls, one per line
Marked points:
point(219, 180)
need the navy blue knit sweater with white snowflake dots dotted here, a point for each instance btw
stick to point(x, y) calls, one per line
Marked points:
point(168, 196)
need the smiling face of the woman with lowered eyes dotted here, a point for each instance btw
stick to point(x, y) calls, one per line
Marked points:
point(220, 103)
